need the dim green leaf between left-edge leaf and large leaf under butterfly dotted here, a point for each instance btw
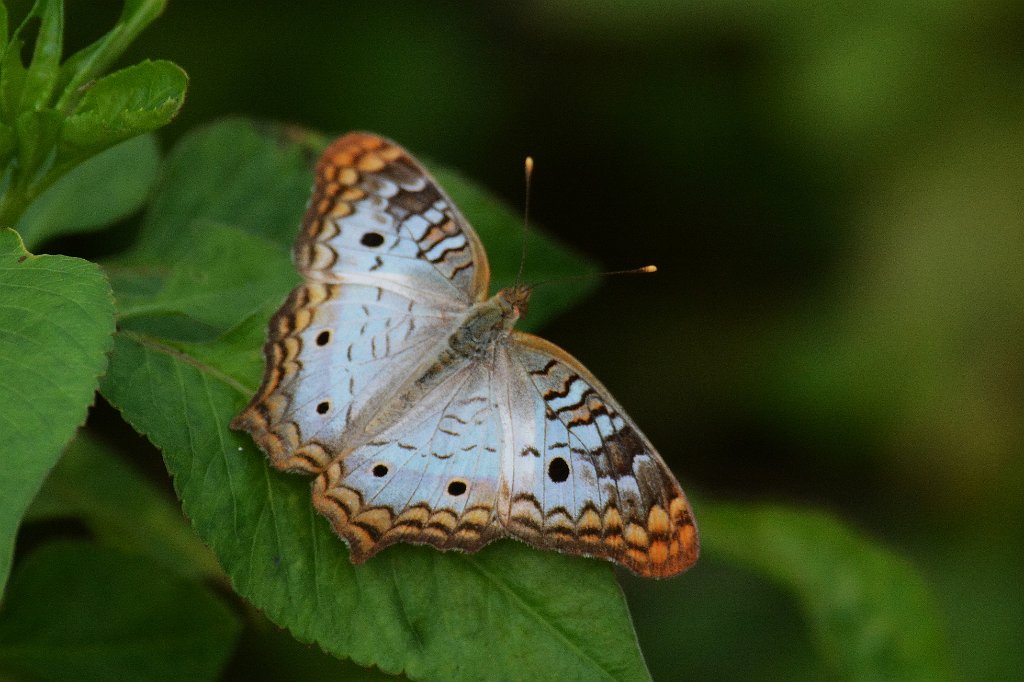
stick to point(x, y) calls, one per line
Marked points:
point(121, 509)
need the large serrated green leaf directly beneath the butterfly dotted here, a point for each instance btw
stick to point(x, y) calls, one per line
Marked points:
point(411, 610)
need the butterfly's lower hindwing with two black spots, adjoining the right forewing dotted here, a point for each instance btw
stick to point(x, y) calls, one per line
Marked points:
point(431, 479)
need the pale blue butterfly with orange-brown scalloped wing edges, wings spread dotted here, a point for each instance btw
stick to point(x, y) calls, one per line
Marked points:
point(424, 415)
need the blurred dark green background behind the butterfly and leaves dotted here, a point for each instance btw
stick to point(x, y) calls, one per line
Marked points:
point(833, 197)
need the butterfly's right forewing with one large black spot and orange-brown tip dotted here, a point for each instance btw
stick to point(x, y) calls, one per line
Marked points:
point(578, 476)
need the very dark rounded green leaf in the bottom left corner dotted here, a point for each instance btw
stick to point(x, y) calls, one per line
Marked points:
point(77, 612)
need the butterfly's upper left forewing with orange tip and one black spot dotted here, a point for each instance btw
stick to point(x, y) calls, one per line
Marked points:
point(376, 214)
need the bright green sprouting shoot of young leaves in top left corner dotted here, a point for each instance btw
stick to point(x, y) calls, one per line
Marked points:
point(56, 114)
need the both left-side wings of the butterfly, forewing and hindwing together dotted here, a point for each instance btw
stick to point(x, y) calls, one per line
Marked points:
point(390, 268)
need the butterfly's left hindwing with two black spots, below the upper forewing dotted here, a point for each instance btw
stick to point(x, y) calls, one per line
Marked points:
point(335, 353)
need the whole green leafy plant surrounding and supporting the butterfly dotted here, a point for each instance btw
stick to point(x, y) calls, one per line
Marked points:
point(191, 300)
